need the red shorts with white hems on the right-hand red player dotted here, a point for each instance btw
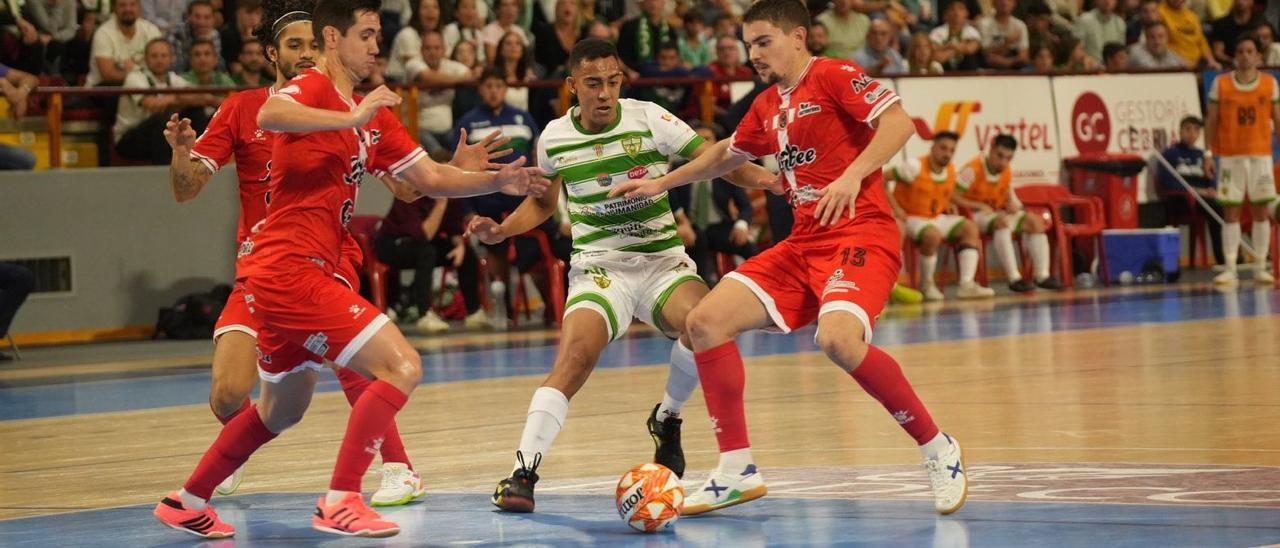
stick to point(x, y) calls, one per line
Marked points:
point(849, 268)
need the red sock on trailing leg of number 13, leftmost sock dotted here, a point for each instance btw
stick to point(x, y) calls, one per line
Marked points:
point(240, 439)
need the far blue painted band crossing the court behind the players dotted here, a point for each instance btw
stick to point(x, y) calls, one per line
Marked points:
point(897, 328)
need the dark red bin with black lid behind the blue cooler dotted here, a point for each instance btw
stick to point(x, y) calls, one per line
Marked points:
point(1112, 177)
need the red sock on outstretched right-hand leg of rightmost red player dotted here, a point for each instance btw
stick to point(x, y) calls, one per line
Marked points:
point(883, 378)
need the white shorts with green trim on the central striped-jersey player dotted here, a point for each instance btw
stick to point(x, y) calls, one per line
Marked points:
point(636, 287)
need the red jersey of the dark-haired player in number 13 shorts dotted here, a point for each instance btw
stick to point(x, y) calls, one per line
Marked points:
point(316, 179)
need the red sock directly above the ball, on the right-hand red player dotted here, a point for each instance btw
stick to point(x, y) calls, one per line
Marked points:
point(724, 380)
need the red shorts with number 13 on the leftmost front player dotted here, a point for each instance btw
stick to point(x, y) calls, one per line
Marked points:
point(308, 317)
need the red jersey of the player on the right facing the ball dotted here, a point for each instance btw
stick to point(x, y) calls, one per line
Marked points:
point(816, 130)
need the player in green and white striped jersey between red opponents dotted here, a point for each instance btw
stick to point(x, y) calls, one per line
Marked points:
point(628, 258)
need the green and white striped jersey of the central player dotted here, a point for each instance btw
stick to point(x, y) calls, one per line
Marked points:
point(639, 145)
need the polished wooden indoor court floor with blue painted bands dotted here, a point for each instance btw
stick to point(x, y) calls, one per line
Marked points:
point(1132, 417)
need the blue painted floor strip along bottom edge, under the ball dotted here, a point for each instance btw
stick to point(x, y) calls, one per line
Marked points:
point(278, 519)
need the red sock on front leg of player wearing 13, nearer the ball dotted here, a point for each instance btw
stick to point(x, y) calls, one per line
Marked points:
point(371, 417)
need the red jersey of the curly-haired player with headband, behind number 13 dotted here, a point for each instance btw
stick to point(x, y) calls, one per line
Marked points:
point(234, 133)
